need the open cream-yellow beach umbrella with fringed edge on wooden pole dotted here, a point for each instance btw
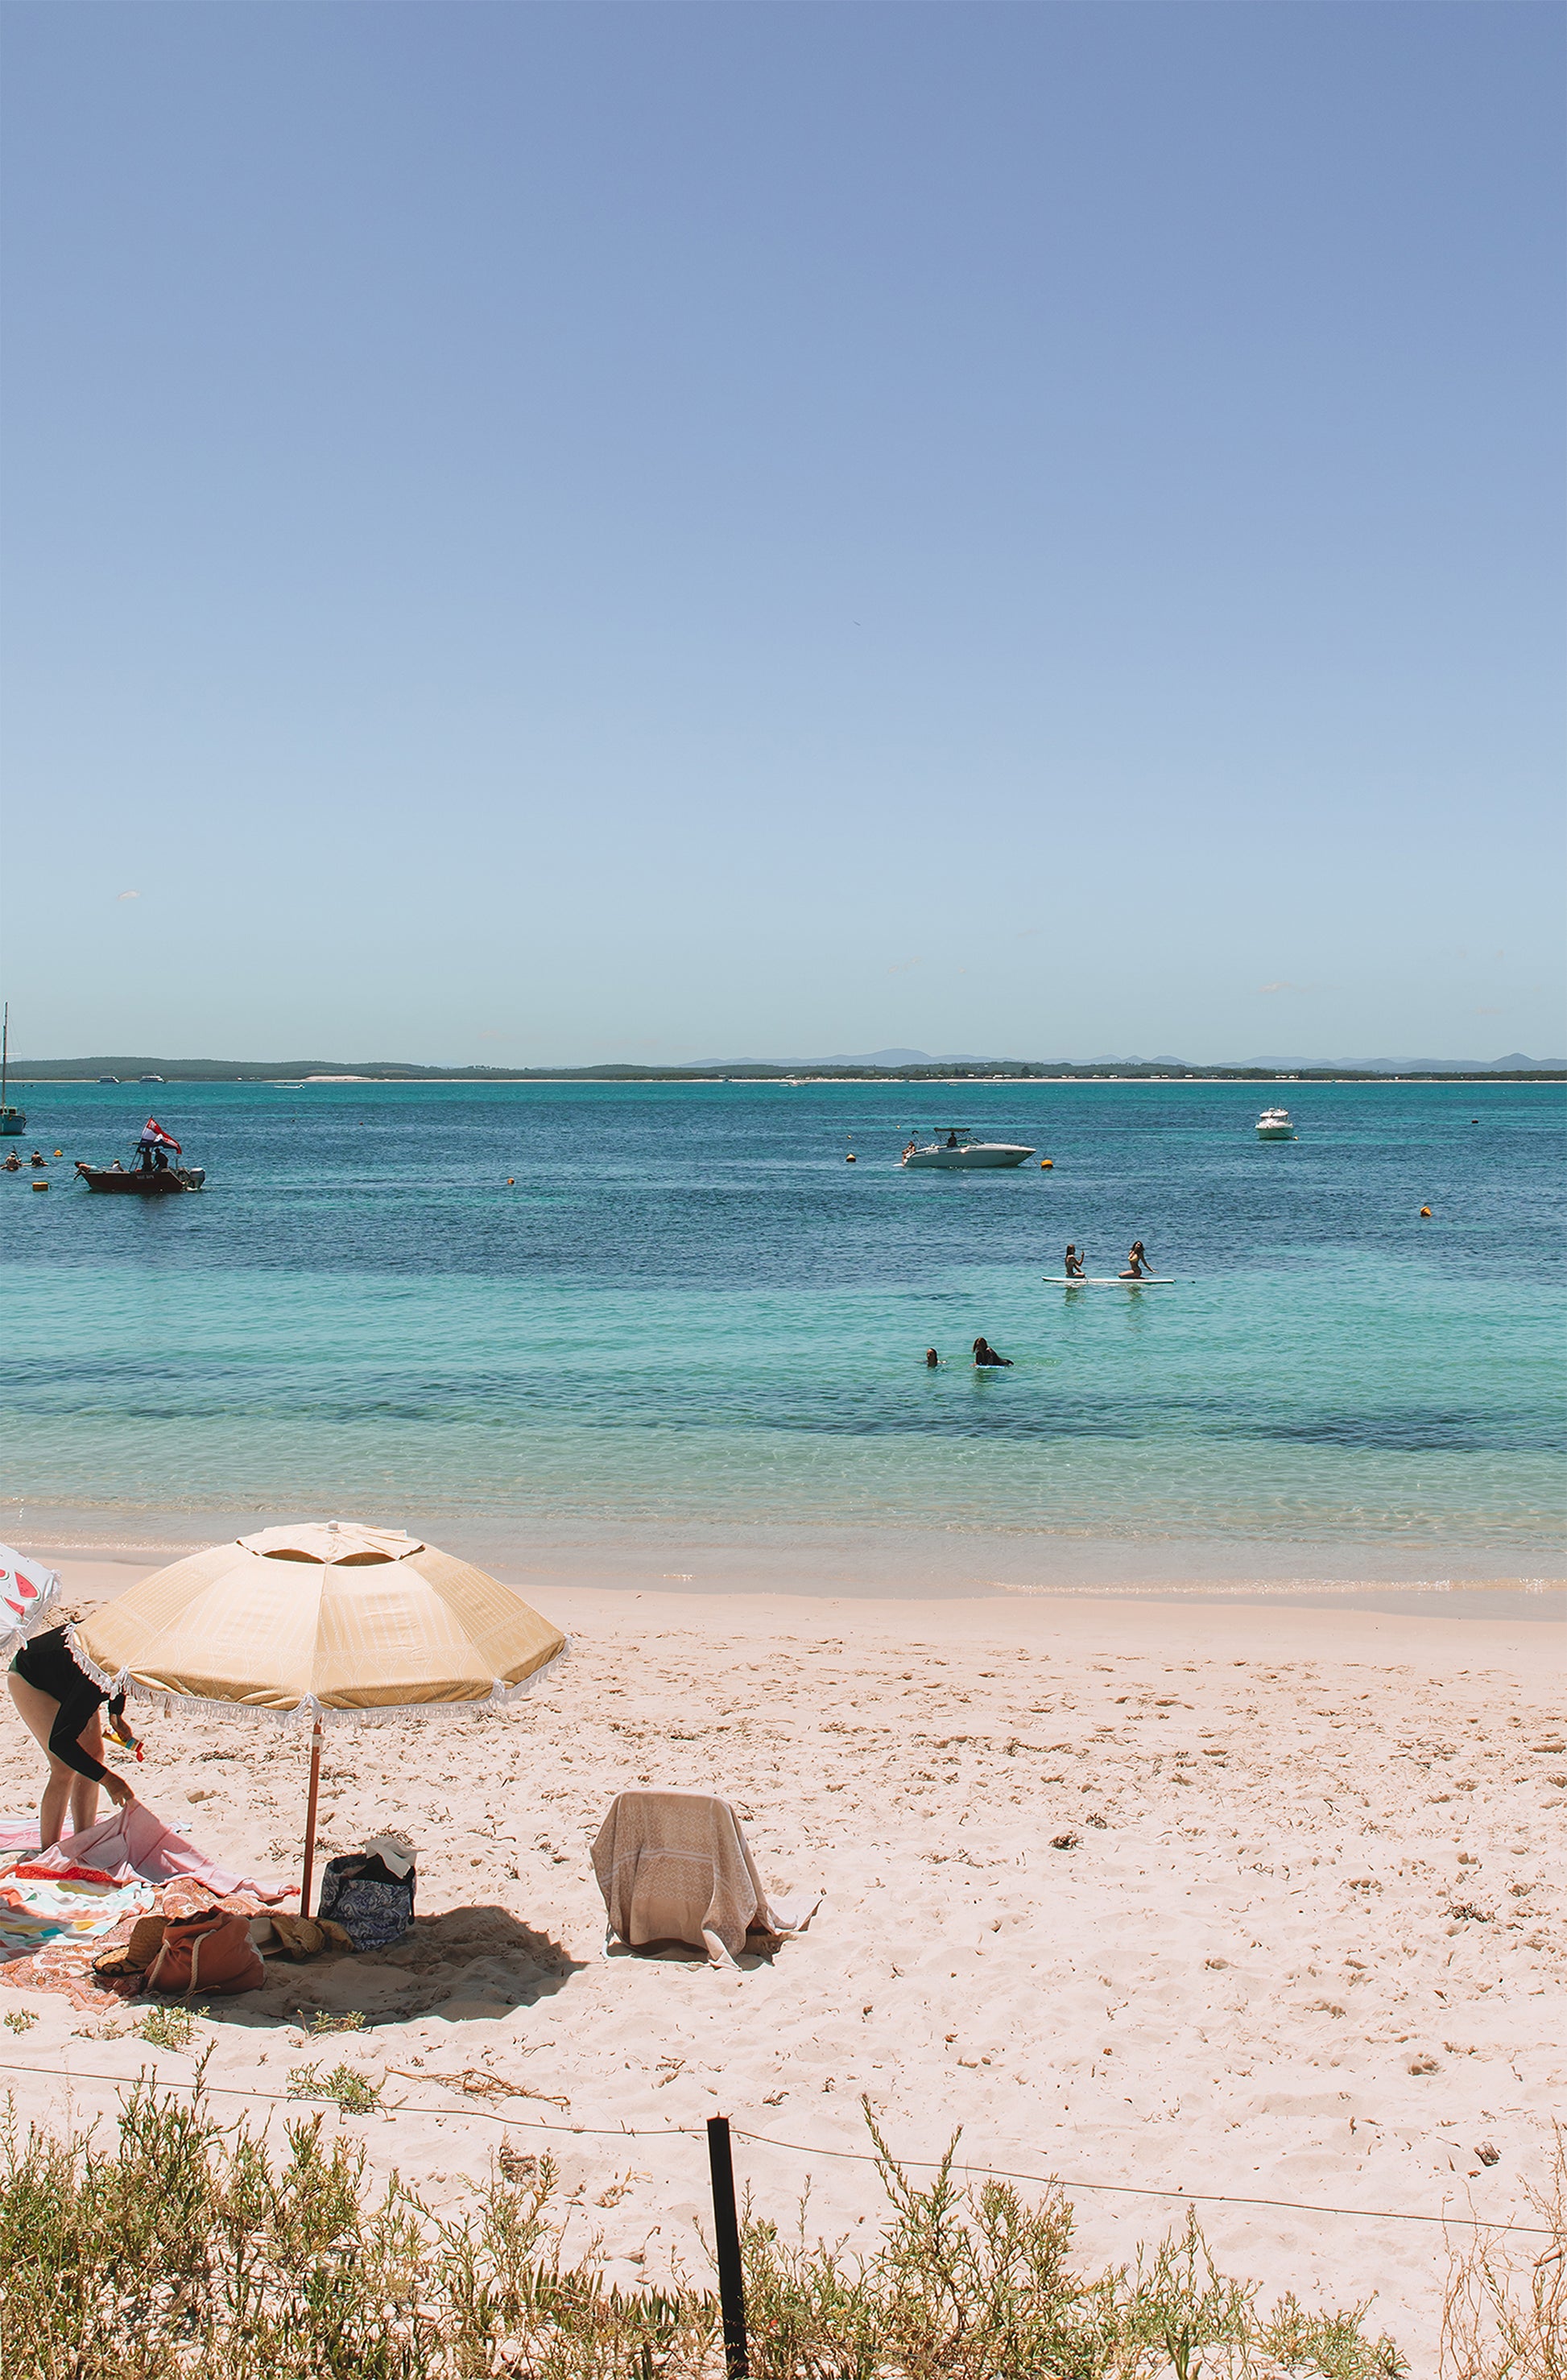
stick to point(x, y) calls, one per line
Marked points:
point(313, 1627)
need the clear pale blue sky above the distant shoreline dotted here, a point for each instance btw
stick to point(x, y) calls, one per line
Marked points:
point(544, 534)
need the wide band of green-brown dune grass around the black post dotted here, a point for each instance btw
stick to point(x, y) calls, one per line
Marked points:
point(185, 2248)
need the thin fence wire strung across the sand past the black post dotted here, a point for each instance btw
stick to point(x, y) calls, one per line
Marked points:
point(797, 2148)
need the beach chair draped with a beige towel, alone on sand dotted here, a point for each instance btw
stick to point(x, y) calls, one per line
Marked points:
point(675, 1867)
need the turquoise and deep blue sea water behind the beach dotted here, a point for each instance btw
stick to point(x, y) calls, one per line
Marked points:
point(666, 1332)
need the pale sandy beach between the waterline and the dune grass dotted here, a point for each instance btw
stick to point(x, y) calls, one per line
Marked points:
point(1244, 1977)
